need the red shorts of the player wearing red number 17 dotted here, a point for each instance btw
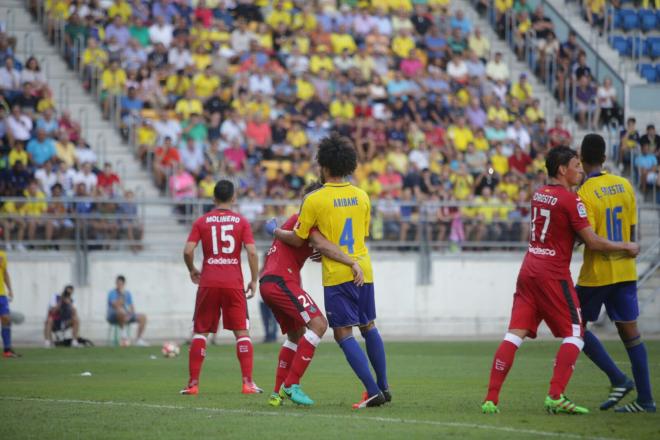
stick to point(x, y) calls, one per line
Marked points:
point(550, 300)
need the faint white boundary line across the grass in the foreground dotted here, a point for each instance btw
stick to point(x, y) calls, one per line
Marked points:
point(467, 426)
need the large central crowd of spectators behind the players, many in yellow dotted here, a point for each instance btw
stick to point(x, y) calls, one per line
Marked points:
point(246, 89)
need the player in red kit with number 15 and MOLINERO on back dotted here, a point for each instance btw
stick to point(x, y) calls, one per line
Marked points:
point(223, 234)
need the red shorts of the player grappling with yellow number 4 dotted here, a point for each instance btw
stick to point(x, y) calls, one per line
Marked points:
point(292, 306)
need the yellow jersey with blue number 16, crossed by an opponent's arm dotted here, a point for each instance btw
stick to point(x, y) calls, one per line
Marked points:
point(612, 211)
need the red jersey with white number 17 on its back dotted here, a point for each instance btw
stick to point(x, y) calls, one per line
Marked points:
point(557, 214)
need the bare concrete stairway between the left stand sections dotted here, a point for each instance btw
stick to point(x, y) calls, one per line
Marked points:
point(100, 134)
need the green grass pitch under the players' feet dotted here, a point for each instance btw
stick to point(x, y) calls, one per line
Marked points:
point(437, 387)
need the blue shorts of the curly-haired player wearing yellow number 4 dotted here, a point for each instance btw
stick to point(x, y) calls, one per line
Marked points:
point(347, 305)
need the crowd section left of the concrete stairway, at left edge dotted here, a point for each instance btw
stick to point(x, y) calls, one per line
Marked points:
point(44, 160)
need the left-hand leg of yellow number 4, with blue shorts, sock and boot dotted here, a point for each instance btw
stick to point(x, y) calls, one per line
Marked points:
point(341, 304)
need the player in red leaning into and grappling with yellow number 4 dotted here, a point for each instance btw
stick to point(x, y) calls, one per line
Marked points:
point(295, 310)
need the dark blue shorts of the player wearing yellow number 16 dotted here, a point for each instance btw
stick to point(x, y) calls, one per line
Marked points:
point(620, 301)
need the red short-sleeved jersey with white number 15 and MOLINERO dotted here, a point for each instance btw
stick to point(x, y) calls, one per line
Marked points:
point(223, 234)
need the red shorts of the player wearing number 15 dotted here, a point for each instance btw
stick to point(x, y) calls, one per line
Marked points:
point(211, 302)
